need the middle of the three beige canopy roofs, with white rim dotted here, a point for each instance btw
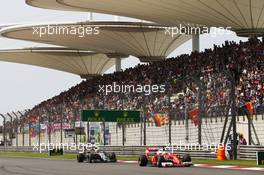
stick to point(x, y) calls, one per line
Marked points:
point(143, 40)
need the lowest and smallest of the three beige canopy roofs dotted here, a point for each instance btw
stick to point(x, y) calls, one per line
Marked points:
point(78, 62)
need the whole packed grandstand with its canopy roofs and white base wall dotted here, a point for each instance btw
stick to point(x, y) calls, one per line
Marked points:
point(208, 95)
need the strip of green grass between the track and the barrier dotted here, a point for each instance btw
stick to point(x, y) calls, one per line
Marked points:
point(130, 158)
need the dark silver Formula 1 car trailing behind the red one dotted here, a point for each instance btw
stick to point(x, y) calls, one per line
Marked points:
point(96, 156)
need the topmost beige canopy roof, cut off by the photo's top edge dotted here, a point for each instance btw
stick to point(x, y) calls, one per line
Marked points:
point(244, 16)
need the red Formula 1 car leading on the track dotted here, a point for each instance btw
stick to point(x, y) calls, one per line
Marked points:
point(161, 158)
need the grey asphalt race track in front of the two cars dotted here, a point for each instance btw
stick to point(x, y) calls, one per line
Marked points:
point(31, 166)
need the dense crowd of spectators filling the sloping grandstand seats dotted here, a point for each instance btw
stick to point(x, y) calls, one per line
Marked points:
point(186, 77)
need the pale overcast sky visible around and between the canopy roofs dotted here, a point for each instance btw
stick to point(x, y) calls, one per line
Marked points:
point(23, 87)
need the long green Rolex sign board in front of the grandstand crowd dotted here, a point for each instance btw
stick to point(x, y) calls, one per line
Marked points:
point(111, 116)
